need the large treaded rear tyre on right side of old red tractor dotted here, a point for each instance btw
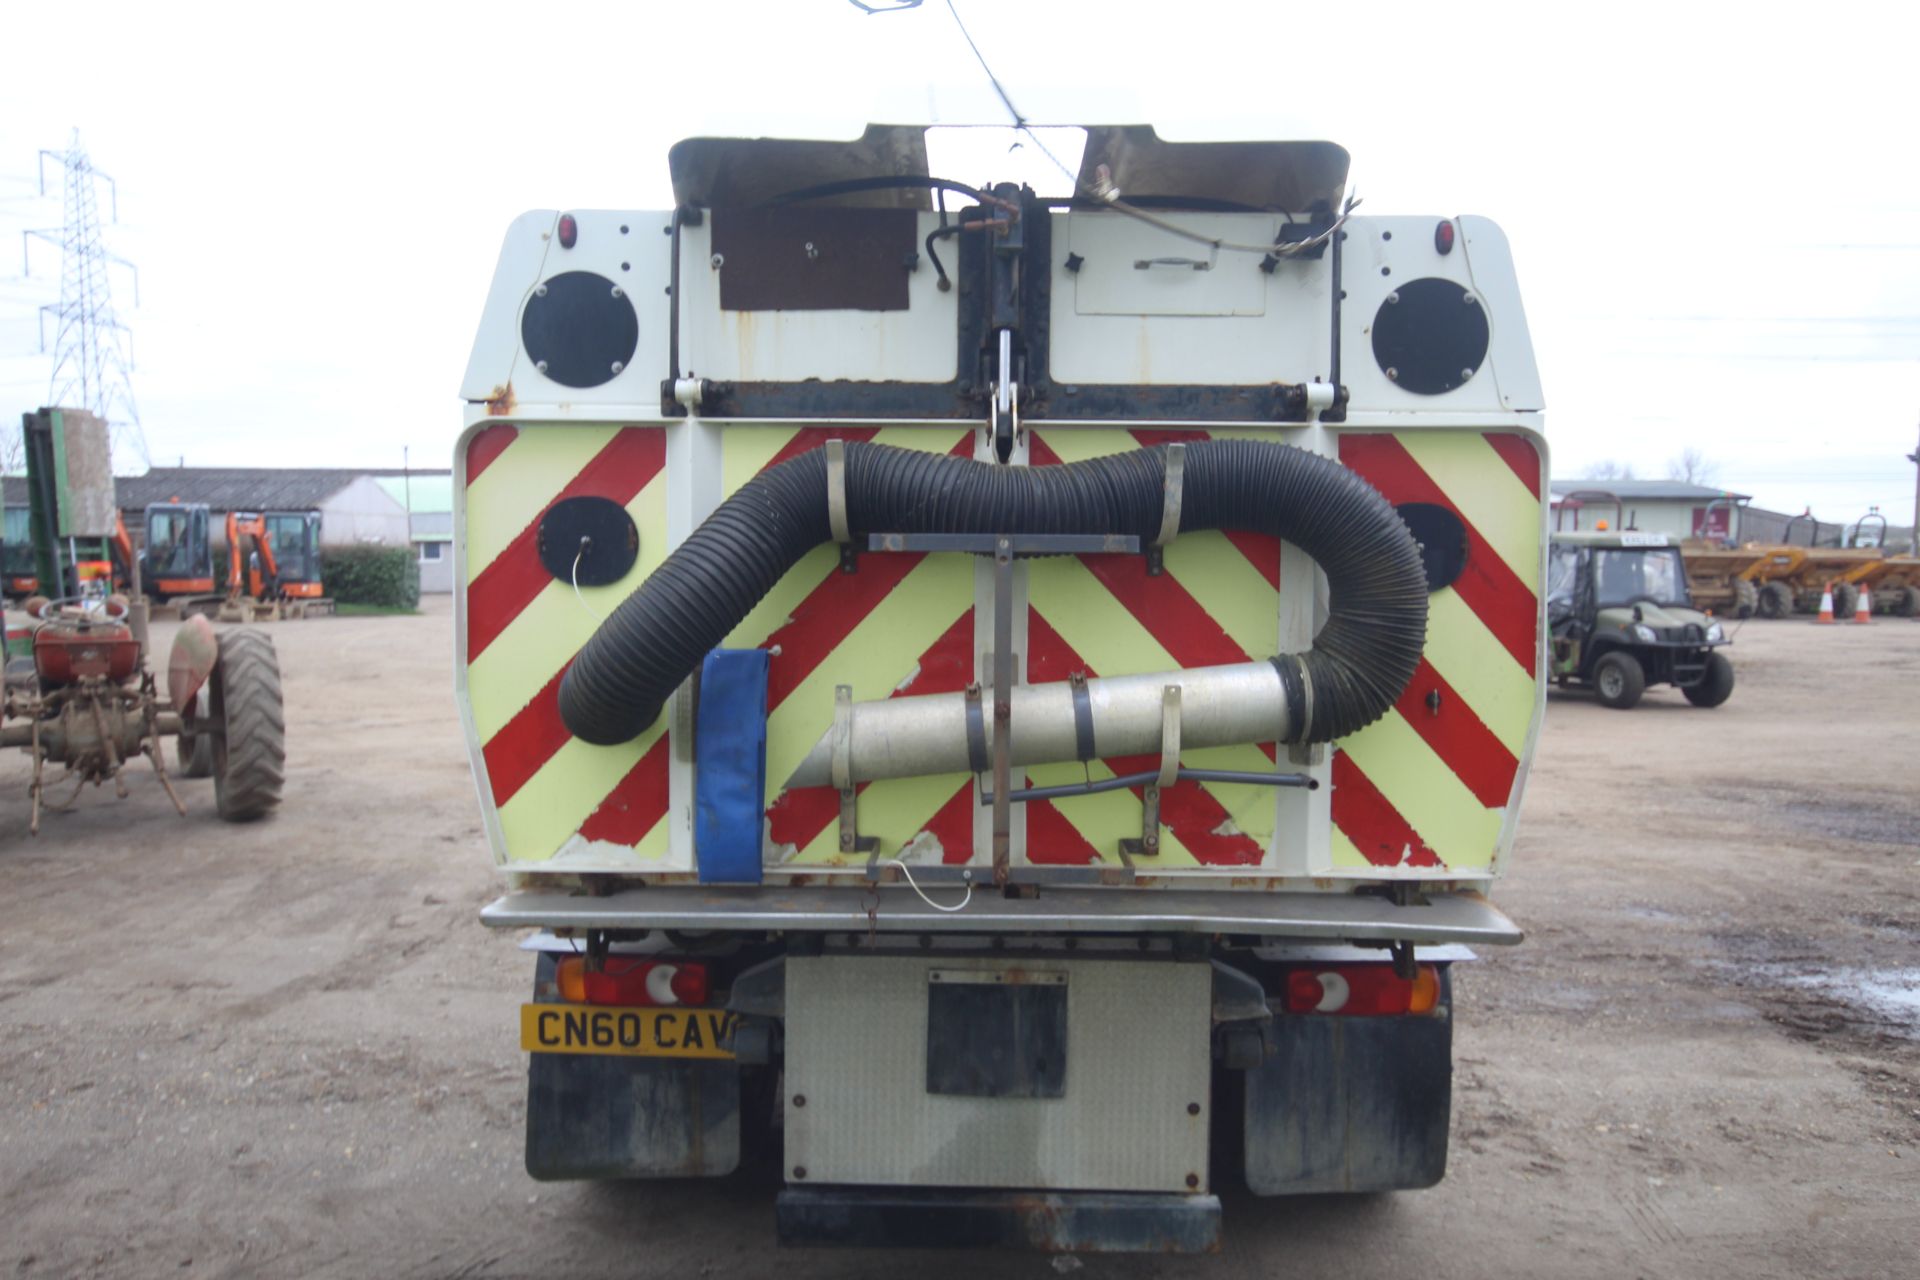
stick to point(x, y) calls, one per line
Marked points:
point(249, 726)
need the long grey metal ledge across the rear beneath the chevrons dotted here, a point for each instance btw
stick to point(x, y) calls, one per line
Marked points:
point(1332, 916)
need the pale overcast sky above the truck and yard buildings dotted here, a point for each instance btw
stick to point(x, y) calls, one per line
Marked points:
point(1716, 210)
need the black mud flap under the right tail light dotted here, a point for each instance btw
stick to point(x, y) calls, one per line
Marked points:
point(1351, 1104)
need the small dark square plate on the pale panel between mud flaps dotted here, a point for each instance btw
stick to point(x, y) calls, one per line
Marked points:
point(997, 1033)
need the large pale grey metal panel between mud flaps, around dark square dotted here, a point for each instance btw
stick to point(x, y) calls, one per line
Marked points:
point(1134, 1116)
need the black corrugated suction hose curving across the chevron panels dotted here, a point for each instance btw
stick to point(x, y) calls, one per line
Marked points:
point(1358, 667)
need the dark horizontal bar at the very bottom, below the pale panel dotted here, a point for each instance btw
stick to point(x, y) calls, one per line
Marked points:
point(963, 1220)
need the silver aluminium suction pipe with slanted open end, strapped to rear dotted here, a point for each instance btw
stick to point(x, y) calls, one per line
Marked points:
point(921, 736)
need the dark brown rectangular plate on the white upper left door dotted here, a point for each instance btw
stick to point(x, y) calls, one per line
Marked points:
point(815, 260)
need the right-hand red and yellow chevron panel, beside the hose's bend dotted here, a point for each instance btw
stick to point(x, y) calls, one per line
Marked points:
point(1431, 786)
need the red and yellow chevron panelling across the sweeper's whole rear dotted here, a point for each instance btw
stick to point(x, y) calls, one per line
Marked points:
point(1428, 790)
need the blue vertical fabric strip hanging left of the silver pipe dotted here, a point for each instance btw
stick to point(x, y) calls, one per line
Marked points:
point(731, 767)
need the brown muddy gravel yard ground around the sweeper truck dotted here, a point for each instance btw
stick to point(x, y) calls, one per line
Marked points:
point(291, 1049)
